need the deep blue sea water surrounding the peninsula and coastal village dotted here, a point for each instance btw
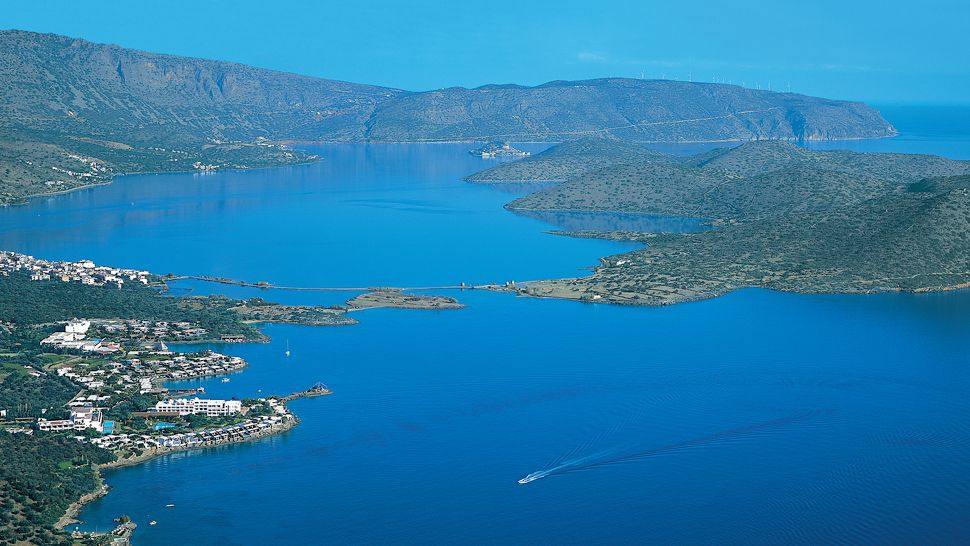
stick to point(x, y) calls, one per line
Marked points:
point(757, 417)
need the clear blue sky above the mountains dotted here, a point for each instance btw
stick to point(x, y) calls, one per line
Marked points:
point(884, 52)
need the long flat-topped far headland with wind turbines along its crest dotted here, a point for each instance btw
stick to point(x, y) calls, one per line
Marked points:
point(636, 110)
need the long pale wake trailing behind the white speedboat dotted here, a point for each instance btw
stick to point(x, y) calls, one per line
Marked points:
point(616, 456)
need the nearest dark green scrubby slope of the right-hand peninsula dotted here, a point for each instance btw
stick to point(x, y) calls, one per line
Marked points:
point(907, 241)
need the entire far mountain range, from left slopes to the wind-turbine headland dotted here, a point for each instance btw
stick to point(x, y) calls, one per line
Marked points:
point(74, 113)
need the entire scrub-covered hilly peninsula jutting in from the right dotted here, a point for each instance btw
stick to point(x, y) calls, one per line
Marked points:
point(780, 217)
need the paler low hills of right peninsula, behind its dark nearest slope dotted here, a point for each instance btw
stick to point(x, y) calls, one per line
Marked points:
point(756, 179)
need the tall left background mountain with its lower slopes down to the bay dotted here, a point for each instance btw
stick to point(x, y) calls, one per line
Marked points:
point(74, 113)
